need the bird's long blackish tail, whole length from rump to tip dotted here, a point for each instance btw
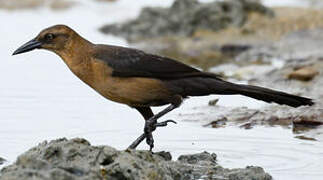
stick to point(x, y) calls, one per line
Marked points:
point(204, 86)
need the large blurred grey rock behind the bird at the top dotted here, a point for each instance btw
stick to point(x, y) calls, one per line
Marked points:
point(185, 17)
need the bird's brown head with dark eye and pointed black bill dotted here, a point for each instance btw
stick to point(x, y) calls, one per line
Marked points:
point(55, 38)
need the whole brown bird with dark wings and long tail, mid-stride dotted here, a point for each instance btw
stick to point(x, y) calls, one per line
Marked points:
point(141, 80)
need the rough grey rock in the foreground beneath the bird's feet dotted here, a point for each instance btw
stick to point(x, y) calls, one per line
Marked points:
point(77, 159)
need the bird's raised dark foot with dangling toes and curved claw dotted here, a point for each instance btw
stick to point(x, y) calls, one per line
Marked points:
point(150, 127)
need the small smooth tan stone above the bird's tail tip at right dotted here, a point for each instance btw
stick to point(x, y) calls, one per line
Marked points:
point(303, 74)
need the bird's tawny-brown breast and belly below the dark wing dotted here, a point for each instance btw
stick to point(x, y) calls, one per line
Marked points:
point(134, 91)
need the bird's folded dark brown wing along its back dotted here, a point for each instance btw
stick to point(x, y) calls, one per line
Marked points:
point(127, 62)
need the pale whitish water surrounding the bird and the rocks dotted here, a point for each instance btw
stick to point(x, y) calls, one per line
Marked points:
point(40, 99)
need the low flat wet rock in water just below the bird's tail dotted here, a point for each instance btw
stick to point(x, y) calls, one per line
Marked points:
point(298, 118)
